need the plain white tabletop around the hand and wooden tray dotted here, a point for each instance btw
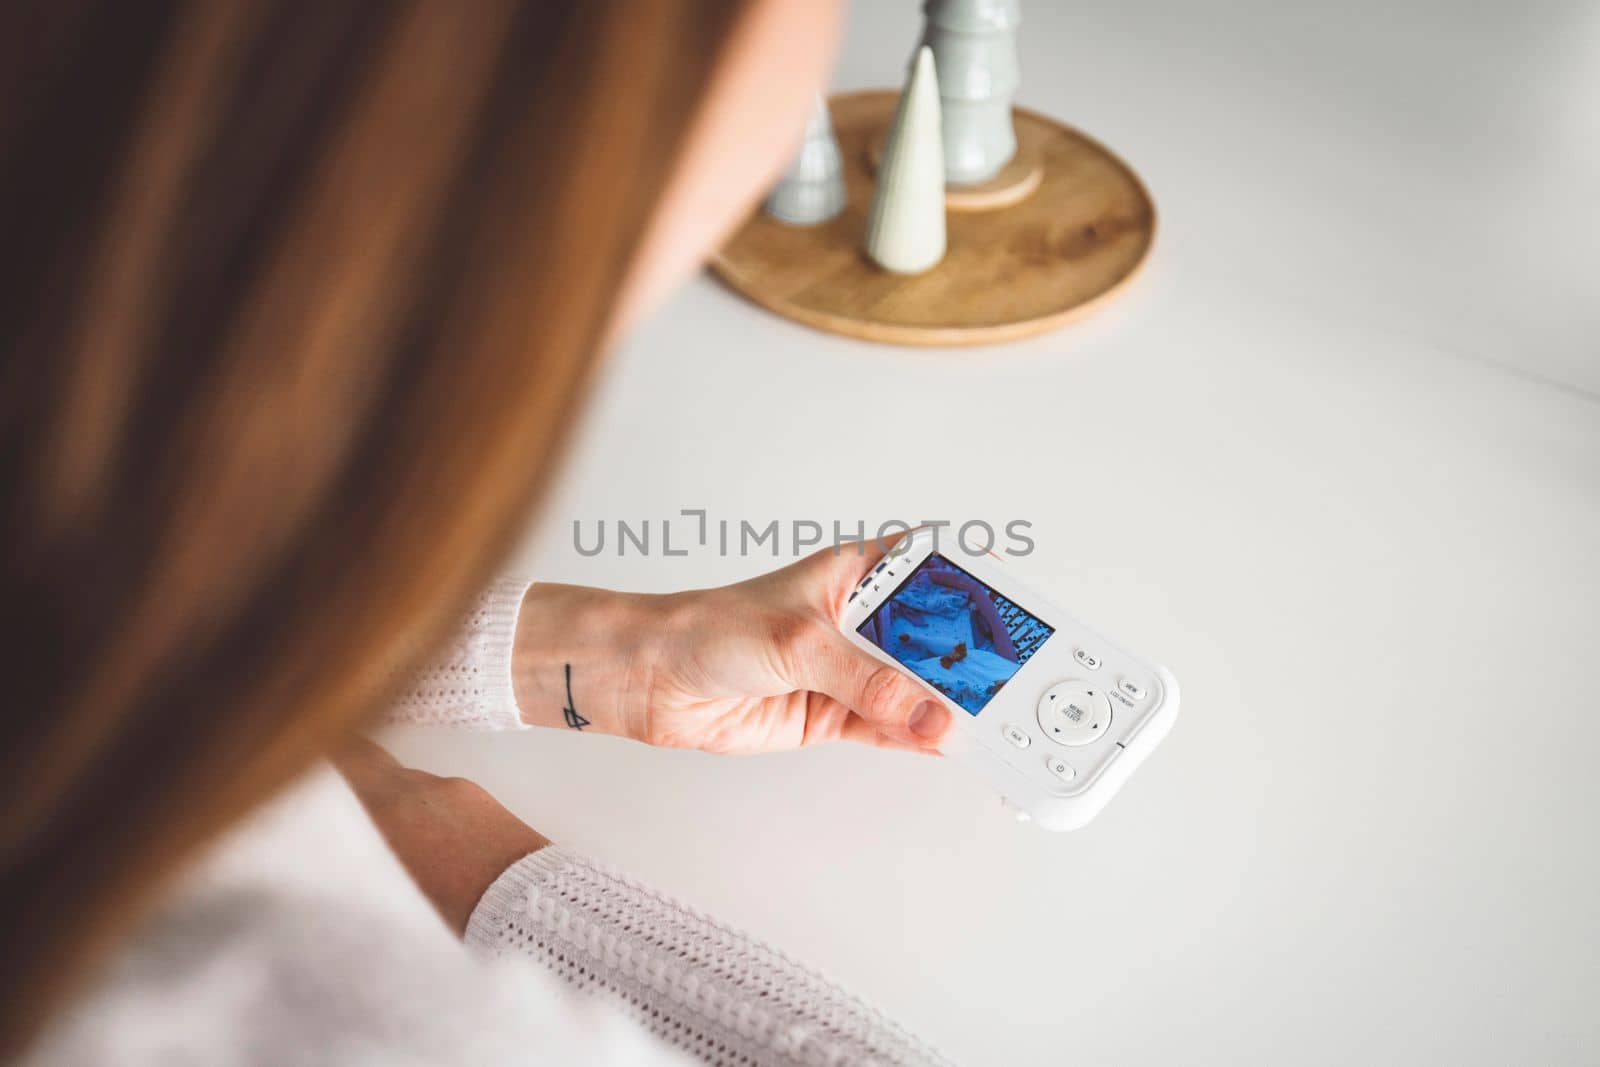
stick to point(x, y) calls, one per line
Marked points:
point(1335, 460)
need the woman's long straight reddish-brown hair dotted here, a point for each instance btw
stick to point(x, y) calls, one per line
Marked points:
point(298, 305)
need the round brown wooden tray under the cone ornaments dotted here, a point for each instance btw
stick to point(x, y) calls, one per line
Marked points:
point(1010, 273)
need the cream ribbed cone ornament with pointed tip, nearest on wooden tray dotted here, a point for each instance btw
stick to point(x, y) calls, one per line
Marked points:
point(906, 226)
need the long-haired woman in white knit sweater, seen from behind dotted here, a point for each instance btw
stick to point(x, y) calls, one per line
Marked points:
point(298, 306)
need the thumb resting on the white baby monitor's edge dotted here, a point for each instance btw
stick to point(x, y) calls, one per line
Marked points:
point(898, 706)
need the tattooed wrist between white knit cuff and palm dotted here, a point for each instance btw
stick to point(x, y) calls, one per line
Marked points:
point(582, 658)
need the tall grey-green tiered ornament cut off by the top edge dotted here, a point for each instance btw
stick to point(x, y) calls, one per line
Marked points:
point(975, 46)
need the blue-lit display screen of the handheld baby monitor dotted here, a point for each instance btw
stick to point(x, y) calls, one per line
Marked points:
point(954, 633)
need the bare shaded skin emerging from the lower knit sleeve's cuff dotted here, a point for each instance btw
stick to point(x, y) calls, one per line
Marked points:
point(450, 836)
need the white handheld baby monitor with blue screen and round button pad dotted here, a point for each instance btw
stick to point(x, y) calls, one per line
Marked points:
point(1052, 713)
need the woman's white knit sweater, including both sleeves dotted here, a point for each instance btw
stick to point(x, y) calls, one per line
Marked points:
point(303, 941)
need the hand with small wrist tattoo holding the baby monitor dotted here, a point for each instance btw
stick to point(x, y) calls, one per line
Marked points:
point(751, 668)
